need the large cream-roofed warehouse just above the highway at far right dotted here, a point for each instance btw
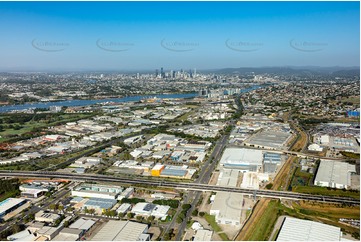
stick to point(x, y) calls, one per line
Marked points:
point(336, 174)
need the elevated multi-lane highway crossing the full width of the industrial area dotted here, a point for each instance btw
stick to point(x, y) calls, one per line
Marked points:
point(180, 185)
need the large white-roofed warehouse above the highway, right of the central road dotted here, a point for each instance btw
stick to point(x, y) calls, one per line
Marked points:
point(242, 159)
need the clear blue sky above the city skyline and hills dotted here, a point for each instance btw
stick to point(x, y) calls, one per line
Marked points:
point(175, 35)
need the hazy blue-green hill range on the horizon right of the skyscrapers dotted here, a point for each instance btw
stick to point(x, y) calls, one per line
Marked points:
point(293, 70)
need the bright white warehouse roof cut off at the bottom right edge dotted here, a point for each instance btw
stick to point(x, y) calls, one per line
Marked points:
point(294, 229)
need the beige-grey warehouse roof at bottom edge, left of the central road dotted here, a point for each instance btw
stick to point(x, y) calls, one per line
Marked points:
point(121, 231)
